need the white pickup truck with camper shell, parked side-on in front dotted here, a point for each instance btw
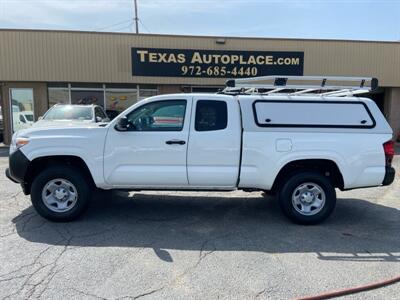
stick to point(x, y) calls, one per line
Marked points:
point(298, 145)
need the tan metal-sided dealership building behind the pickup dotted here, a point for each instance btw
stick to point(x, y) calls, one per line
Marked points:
point(40, 68)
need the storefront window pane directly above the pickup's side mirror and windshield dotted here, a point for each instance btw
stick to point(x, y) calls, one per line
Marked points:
point(120, 100)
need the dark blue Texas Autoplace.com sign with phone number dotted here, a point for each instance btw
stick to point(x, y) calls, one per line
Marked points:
point(215, 63)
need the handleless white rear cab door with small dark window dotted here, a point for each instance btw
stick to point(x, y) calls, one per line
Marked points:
point(214, 142)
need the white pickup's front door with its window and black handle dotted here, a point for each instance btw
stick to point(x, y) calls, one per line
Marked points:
point(152, 152)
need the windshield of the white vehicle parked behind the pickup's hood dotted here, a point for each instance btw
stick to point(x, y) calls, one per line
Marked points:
point(69, 112)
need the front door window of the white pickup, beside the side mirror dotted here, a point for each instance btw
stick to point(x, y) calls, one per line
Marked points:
point(158, 116)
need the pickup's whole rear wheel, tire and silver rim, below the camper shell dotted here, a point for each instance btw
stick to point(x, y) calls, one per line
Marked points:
point(307, 198)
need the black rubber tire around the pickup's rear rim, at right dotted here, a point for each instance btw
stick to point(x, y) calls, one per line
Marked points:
point(297, 180)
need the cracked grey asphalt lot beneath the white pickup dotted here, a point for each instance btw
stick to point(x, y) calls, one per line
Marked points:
point(179, 245)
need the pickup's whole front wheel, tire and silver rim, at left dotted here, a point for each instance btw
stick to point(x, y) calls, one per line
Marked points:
point(60, 193)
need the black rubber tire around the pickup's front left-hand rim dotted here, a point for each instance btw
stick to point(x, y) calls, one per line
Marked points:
point(75, 177)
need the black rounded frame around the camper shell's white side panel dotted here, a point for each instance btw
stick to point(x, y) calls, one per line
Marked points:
point(313, 125)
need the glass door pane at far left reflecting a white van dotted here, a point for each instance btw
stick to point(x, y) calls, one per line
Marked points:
point(22, 108)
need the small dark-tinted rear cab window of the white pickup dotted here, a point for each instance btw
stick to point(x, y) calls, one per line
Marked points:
point(211, 115)
